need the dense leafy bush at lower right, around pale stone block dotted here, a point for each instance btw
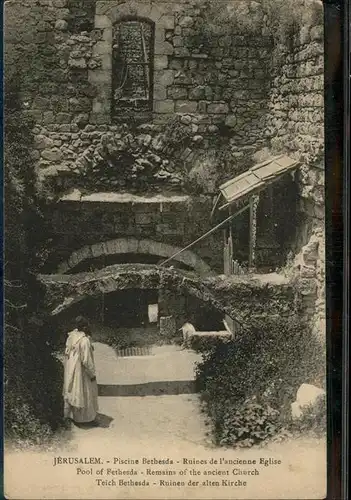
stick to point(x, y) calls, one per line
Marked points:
point(249, 384)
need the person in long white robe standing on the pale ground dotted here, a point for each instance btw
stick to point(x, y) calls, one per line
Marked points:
point(80, 387)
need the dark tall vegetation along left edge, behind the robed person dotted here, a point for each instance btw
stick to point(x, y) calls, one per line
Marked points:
point(32, 376)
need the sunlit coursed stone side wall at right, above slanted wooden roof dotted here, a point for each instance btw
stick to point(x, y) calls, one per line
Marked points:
point(295, 123)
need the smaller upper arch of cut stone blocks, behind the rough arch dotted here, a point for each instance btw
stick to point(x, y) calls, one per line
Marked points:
point(120, 246)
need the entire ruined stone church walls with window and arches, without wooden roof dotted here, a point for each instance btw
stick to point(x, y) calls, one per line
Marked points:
point(142, 110)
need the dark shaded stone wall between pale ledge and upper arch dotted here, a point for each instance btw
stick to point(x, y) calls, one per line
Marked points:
point(78, 224)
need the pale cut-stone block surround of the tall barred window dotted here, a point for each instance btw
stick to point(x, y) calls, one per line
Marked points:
point(106, 15)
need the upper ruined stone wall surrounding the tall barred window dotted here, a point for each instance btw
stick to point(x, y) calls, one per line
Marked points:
point(222, 68)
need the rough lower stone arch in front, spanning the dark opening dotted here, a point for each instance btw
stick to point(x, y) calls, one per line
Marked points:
point(244, 298)
